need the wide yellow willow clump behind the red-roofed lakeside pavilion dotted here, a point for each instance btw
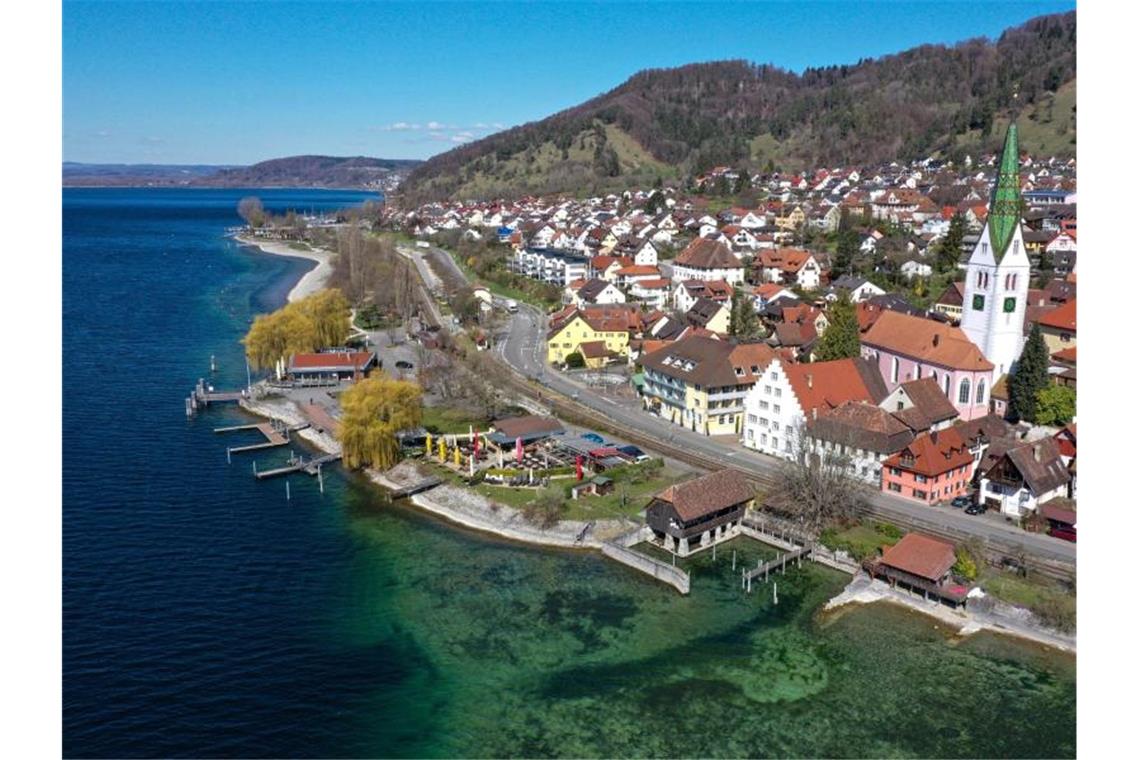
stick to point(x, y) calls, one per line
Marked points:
point(320, 321)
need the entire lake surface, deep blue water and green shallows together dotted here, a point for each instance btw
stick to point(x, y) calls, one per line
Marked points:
point(207, 616)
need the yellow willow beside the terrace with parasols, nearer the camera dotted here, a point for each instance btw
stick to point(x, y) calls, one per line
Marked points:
point(374, 411)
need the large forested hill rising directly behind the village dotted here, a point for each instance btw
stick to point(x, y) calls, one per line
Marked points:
point(679, 122)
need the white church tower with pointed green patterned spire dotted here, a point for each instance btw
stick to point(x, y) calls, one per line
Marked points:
point(998, 274)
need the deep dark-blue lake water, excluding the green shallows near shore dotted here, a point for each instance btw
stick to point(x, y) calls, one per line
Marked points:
point(190, 625)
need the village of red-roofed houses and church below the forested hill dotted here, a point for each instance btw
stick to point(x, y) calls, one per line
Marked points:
point(931, 279)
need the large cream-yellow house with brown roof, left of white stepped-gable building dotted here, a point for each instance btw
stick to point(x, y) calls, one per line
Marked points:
point(701, 383)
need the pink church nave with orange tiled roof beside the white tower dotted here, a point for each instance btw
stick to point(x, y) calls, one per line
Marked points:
point(910, 348)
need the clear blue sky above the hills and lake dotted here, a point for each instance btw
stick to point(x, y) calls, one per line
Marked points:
point(223, 83)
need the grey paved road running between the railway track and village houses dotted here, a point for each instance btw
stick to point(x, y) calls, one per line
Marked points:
point(524, 347)
